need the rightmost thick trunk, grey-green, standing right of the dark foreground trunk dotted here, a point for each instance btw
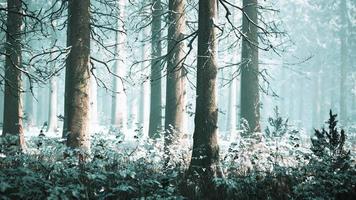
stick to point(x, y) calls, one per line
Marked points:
point(250, 103)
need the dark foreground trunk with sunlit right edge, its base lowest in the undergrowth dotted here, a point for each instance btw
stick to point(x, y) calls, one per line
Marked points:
point(204, 165)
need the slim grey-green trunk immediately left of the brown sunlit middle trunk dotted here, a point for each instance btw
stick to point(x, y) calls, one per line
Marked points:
point(155, 124)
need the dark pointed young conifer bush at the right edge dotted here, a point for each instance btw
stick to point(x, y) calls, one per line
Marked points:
point(331, 172)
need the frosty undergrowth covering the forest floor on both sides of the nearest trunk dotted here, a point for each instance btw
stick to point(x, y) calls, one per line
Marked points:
point(271, 165)
